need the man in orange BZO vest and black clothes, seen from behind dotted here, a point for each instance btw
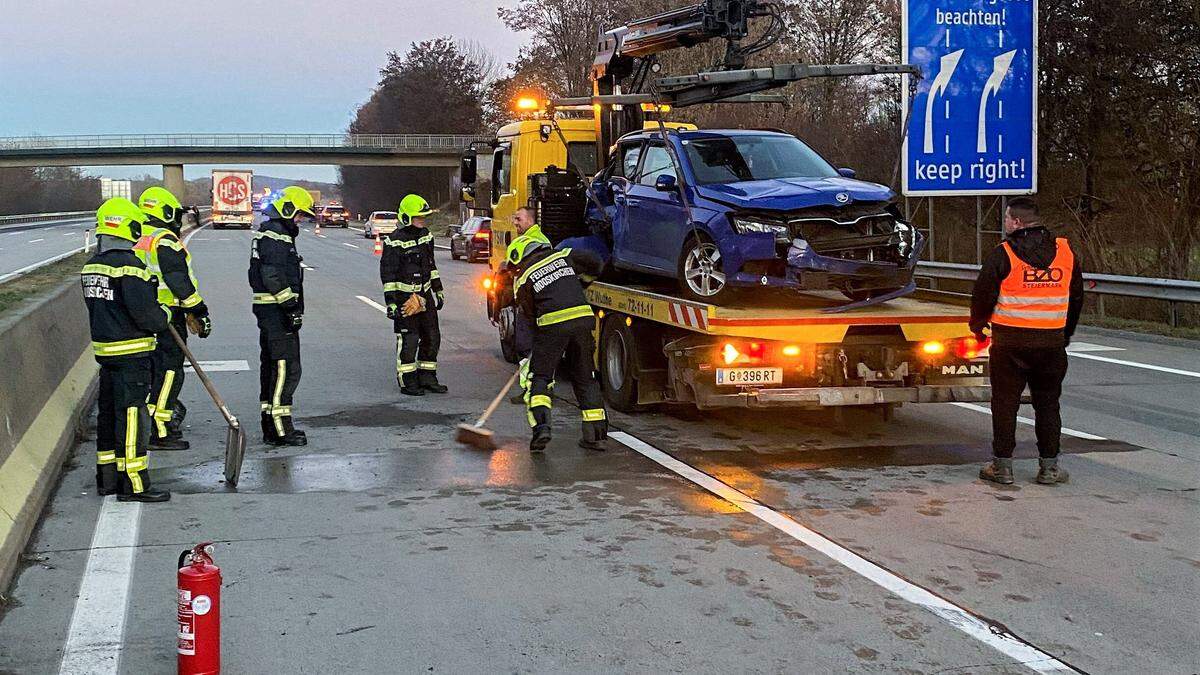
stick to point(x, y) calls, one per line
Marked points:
point(1030, 291)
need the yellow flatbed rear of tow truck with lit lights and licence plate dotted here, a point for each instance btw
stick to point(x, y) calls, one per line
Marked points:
point(783, 351)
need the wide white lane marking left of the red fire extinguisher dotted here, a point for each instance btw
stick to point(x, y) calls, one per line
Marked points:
point(98, 624)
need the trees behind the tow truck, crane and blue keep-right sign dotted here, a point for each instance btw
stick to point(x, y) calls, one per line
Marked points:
point(1119, 130)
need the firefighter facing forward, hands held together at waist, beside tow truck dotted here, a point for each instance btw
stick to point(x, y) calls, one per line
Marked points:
point(413, 292)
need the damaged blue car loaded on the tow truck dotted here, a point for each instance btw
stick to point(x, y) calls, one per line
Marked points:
point(763, 211)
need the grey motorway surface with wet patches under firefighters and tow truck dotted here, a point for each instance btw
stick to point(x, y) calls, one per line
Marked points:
point(728, 542)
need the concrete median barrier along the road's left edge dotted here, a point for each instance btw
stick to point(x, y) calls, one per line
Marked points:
point(47, 384)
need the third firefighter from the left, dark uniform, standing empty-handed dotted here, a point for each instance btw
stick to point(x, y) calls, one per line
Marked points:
point(278, 283)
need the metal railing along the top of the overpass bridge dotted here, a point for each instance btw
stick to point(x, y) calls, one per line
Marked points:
point(393, 142)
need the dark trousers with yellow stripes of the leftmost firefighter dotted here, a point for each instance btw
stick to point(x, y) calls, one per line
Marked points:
point(123, 425)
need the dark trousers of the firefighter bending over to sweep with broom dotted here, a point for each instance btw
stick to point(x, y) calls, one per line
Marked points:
point(574, 341)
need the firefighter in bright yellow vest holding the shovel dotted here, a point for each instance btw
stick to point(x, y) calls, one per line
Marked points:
point(170, 261)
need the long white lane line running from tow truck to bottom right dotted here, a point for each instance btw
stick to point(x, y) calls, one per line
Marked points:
point(992, 635)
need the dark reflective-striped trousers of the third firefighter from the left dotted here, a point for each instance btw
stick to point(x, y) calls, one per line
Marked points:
point(279, 371)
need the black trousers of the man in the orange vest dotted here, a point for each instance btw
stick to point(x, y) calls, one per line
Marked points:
point(1013, 368)
